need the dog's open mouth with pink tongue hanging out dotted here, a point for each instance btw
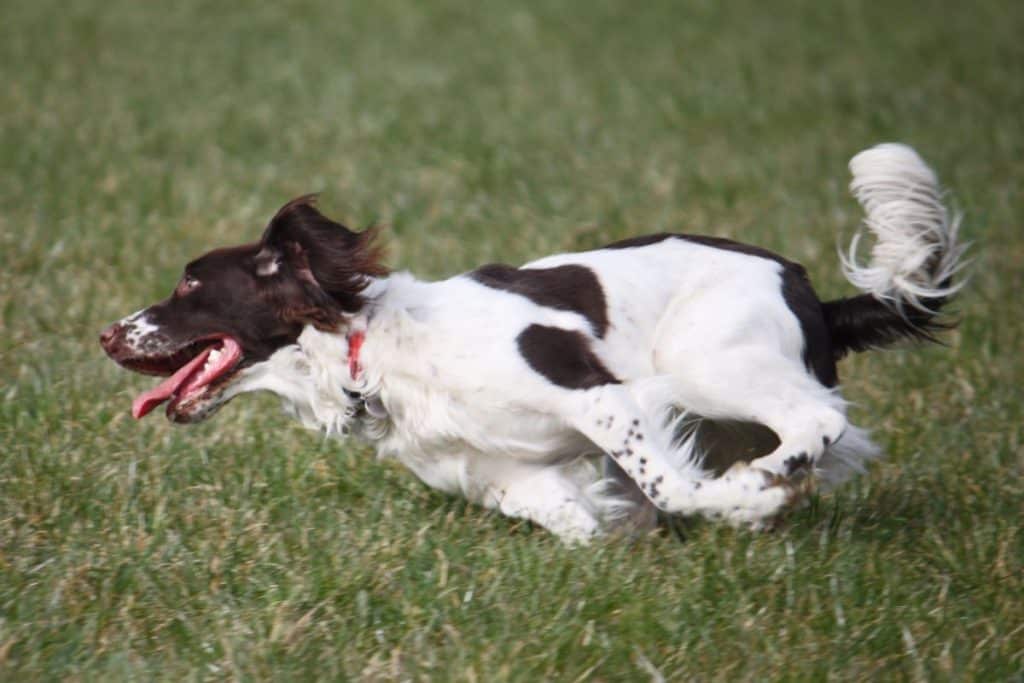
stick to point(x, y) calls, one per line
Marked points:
point(193, 371)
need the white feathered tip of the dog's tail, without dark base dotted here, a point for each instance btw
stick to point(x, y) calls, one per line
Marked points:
point(916, 254)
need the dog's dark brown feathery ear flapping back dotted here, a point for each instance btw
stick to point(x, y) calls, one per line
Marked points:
point(319, 250)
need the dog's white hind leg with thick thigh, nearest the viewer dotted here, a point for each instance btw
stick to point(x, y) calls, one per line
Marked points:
point(739, 355)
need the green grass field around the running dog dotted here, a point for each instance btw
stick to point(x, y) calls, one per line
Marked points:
point(135, 137)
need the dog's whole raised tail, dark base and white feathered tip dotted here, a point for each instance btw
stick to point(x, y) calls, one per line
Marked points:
point(910, 275)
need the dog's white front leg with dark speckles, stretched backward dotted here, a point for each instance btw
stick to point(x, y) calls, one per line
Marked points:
point(612, 418)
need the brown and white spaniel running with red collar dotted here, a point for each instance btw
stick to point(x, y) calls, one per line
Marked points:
point(585, 393)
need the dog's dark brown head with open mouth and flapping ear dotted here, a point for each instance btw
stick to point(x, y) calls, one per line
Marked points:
point(235, 308)
